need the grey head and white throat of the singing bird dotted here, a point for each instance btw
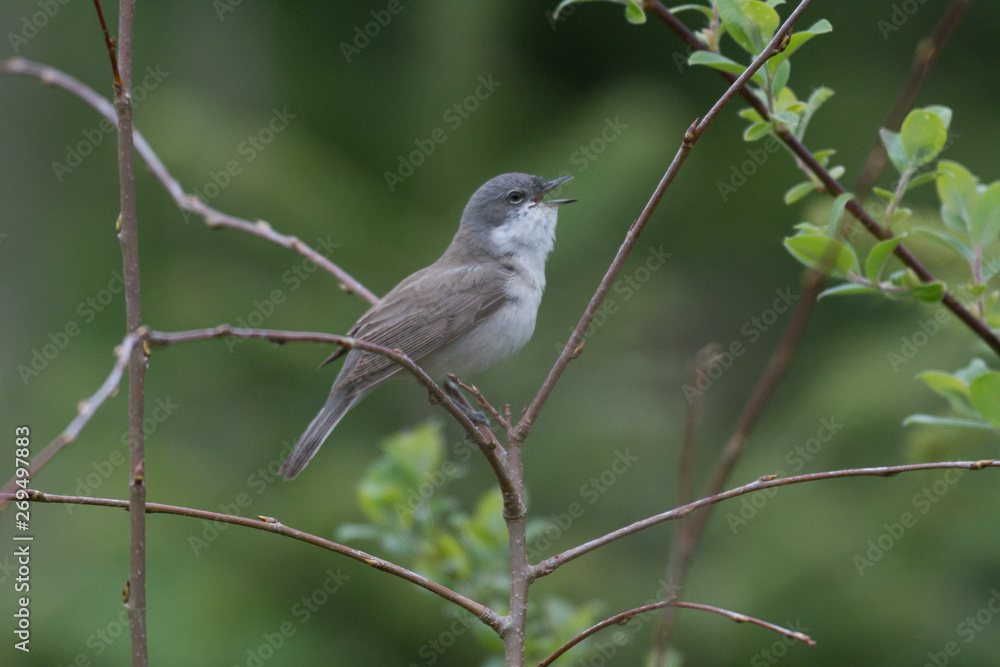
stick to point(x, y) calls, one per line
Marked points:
point(508, 216)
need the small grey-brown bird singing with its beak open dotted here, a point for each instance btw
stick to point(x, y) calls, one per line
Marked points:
point(467, 311)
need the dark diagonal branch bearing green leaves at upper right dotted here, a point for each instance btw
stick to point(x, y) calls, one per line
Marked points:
point(831, 185)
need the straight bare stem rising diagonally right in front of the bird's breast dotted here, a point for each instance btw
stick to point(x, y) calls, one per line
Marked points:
point(573, 345)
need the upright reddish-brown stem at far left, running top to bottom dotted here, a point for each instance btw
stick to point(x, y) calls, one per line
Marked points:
point(134, 595)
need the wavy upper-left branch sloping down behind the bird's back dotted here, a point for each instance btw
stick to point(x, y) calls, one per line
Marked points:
point(213, 217)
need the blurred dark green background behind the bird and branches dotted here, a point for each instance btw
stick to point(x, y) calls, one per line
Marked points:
point(227, 411)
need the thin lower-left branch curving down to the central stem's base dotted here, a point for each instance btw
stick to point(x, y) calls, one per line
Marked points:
point(270, 525)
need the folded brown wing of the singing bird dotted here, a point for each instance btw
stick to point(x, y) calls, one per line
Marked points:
point(430, 308)
